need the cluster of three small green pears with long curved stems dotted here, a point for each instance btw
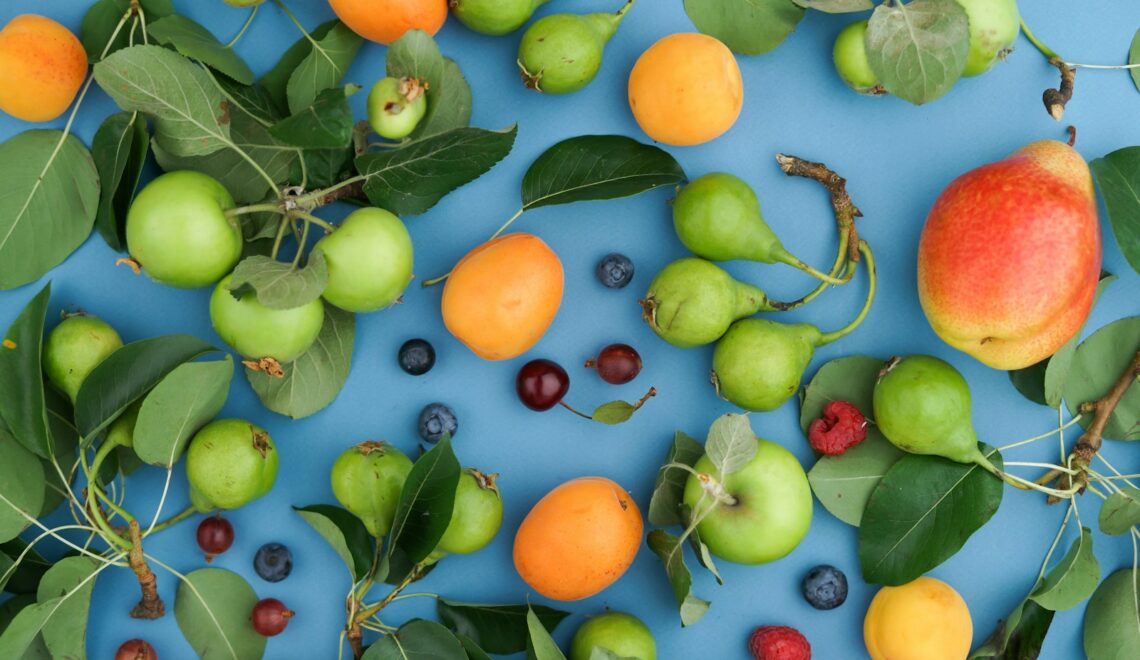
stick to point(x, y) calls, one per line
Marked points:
point(758, 363)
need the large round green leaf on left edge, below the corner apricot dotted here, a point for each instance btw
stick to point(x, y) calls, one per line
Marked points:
point(51, 198)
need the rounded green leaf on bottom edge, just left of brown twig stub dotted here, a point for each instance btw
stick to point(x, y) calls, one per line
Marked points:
point(66, 633)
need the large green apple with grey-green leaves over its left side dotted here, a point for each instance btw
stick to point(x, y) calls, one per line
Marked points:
point(772, 510)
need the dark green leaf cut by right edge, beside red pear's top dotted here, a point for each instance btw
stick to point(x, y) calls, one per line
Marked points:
point(1119, 178)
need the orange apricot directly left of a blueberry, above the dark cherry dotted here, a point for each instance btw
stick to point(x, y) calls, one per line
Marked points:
point(503, 296)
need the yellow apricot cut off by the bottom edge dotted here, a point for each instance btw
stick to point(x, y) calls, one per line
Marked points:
point(922, 621)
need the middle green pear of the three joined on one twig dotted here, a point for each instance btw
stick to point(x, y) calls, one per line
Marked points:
point(693, 303)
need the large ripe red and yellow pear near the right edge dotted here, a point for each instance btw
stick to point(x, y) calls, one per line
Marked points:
point(1011, 257)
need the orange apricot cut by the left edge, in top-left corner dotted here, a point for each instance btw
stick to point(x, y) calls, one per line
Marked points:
point(43, 66)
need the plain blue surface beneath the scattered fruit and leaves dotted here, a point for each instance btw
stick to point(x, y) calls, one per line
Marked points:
point(897, 157)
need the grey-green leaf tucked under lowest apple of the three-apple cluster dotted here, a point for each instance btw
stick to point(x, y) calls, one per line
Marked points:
point(313, 381)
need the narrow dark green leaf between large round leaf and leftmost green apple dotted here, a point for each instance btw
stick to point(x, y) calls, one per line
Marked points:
point(119, 150)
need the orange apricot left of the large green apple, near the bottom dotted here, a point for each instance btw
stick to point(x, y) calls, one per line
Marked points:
point(579, 540)
